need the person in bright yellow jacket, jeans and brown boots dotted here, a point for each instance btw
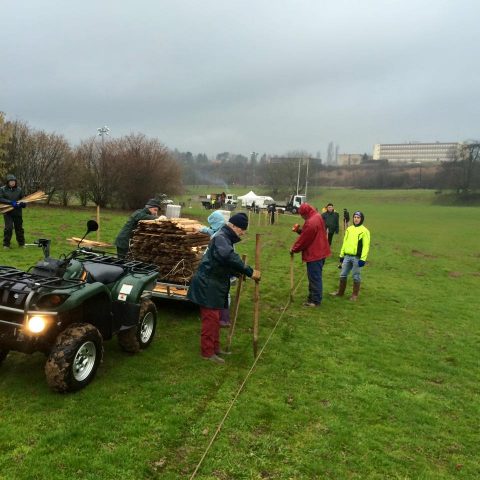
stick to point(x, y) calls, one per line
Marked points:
point(353, 255)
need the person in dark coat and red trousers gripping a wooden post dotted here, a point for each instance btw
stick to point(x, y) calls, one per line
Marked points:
point(210, 284)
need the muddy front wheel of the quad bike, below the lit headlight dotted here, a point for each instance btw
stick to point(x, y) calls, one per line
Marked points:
point(74, 359)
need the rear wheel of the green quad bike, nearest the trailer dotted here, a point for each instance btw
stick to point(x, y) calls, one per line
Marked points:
point(141, 336)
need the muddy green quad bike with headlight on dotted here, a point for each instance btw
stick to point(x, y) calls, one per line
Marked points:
point(67, 307)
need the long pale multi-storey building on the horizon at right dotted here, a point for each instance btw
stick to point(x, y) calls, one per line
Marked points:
point(415, 152)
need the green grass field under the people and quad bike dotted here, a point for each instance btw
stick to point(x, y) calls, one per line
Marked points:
point(384, 388)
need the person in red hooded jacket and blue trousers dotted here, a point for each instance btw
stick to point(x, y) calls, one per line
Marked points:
point(313, 244)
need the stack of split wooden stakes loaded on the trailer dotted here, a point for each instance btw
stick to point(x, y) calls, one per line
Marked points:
point(173, 244)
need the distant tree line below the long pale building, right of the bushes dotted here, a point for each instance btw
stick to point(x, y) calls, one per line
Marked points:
point(280, 174)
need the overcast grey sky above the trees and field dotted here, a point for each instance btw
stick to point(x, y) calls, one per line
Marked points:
point(241, 76)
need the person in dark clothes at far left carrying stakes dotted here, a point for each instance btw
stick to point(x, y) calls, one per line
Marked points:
point(11, 194)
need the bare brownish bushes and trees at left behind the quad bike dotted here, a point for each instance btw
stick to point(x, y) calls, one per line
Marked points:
point(121, 172)
